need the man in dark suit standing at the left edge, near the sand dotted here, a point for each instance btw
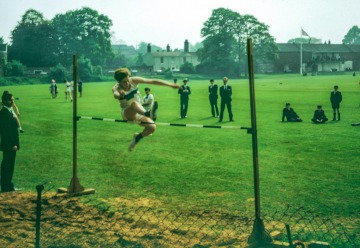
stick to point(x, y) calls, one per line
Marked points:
point(9, 142)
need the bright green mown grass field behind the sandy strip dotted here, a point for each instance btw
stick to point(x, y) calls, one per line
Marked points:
point(315, 166)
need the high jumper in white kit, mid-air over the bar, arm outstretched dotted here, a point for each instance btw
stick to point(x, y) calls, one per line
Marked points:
point(126, 91)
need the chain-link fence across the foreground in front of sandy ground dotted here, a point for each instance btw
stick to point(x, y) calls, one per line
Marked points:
point(51, 220)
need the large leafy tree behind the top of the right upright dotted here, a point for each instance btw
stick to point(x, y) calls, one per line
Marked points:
point(226, 33)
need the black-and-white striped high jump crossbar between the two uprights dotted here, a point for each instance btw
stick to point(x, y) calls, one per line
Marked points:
point(162, 123)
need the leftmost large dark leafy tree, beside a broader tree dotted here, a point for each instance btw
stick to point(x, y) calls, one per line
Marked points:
point(31, 40)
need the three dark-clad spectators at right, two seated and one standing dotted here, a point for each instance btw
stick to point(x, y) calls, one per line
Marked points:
point(319, 114)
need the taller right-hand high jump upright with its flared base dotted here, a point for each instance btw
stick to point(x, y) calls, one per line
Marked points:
point(259, 235)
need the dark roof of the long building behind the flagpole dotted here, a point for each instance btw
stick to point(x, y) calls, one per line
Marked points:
point(318, 48)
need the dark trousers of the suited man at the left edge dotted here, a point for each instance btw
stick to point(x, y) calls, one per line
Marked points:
point(7, 171)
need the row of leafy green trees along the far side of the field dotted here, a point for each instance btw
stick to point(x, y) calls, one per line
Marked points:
point(37, 42)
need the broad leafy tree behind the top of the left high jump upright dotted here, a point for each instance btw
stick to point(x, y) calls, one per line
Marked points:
point(84, 32)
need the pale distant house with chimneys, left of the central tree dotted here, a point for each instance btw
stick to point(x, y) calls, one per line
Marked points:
point(160, 60)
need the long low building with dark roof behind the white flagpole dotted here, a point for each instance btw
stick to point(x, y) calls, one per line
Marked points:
point(317, 58)
